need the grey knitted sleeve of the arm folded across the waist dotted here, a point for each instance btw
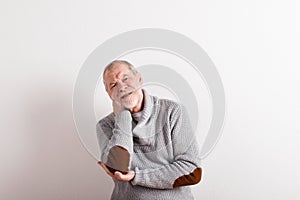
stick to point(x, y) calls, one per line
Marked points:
point(185, 168)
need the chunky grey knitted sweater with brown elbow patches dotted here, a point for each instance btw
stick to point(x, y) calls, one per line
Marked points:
point(158, 144)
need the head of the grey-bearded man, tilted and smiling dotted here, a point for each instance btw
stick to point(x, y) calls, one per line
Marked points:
point(123, 83)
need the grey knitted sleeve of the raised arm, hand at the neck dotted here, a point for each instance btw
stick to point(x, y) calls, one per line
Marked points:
point(115, 142)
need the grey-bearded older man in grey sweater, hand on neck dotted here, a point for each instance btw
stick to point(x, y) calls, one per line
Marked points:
point(147, 144)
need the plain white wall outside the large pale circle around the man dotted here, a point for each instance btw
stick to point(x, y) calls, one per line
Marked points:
point(255, 46)
